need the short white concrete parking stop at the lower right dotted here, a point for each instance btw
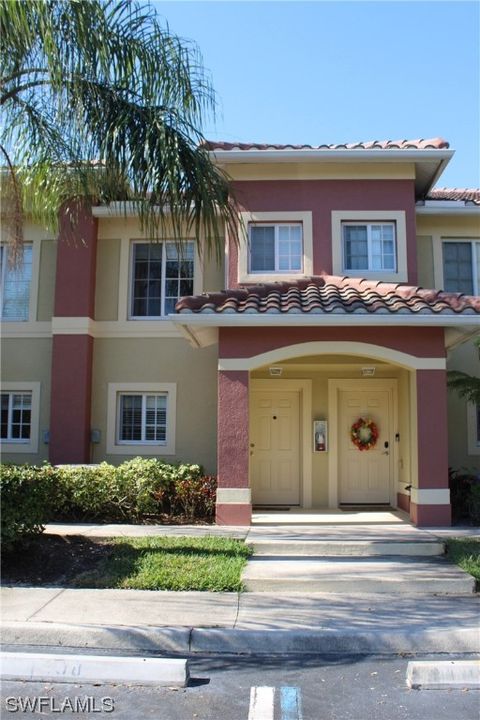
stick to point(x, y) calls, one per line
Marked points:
point(430, 675)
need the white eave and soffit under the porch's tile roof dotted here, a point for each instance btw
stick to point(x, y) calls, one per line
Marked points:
point(201, 329)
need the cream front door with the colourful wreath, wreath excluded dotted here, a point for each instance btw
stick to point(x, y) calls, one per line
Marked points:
point(364, 475)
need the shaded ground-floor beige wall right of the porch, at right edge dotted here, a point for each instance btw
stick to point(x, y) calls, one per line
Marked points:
point(466, 359)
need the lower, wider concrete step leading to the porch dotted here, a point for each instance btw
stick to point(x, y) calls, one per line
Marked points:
point(402, 575)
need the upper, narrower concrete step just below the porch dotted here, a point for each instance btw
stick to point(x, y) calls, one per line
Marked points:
point(351, 548)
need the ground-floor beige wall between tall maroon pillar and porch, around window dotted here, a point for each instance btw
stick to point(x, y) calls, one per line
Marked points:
point(153, 360)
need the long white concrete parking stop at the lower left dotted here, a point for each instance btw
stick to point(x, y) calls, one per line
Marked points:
point(54, 667)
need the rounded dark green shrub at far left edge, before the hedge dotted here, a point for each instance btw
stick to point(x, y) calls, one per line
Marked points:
point(28, 495)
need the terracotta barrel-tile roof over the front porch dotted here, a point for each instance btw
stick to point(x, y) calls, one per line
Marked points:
point(330, 294)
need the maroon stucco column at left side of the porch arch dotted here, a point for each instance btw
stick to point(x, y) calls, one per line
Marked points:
point(233, 449)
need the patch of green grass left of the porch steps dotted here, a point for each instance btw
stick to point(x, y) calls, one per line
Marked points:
point(169, 563)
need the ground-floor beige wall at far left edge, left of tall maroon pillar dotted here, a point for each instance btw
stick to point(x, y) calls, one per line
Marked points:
point(29, 360)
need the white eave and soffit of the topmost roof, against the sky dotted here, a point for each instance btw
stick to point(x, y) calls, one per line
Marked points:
point(429, 164)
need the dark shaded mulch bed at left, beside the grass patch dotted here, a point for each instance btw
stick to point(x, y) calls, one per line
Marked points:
point(48, 560)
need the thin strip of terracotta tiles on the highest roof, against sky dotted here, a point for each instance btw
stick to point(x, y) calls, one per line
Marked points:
point(420, 144)
